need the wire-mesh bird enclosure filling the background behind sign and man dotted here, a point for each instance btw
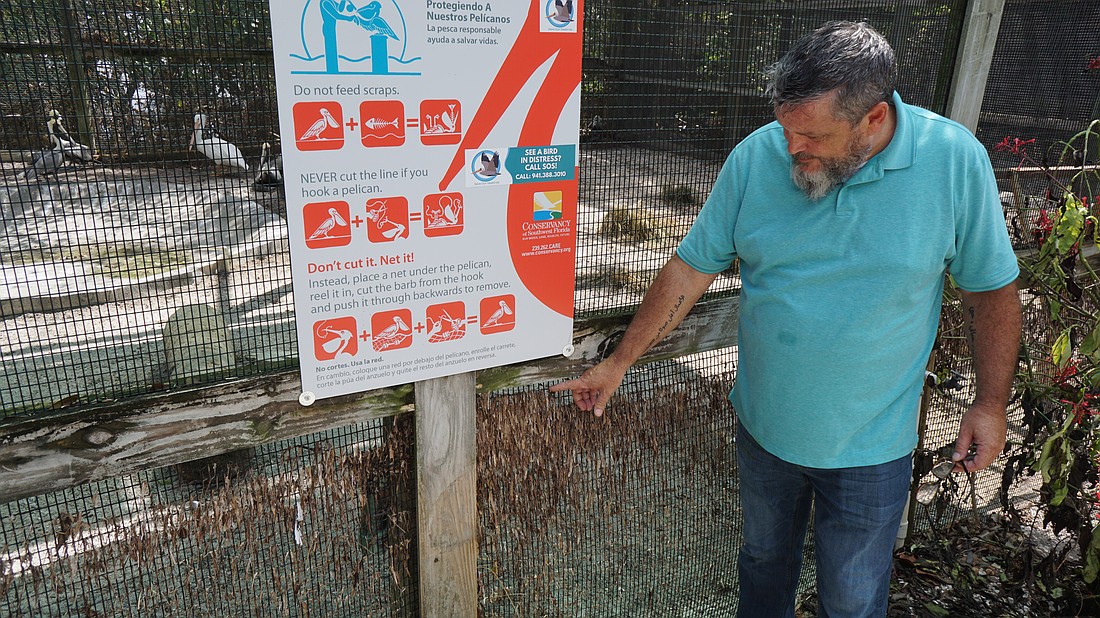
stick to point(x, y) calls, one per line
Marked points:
point(153, 457)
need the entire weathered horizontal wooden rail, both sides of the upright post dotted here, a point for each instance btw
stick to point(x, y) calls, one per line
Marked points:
point(51, 453)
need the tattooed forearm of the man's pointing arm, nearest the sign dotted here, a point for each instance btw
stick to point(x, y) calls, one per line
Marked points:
point(672, 296)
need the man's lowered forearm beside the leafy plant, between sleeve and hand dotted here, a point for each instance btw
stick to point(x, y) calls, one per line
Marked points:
point(993, 322)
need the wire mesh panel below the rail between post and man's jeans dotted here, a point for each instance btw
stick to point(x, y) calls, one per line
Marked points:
point(634, 514)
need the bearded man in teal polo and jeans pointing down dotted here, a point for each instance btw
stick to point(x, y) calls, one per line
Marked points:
point(845, 214)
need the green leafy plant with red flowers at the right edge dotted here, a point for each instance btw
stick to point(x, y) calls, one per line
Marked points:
point(1059, 387)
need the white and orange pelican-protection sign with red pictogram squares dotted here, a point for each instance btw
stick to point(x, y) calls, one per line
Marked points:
point(431, 173)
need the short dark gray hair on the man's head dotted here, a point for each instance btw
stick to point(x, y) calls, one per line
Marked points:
point(850, 58)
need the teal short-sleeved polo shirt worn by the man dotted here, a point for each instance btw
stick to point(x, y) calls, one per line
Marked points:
point(841, 297)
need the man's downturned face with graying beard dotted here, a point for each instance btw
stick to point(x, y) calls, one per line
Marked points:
point(824, 150)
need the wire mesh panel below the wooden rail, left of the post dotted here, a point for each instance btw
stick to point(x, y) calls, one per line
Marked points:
point(321, 526)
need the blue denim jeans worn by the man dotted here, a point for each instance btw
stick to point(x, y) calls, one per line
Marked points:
point(856, 511)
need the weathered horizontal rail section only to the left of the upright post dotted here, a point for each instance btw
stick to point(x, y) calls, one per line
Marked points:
point(57, 451)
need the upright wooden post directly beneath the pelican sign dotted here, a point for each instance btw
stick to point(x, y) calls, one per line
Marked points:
point(447, 495)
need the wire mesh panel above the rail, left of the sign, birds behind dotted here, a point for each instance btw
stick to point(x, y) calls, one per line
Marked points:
point(125, 241)
